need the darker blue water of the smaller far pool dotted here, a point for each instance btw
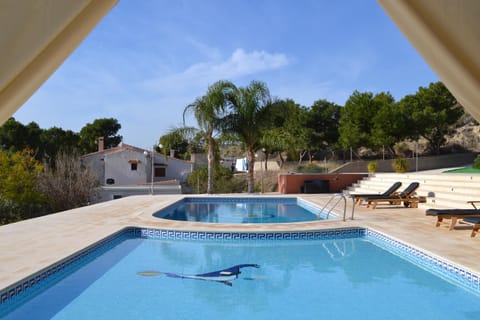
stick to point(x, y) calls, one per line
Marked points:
point(242, 210)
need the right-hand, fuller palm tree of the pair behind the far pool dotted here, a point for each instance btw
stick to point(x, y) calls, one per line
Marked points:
point(247, 120)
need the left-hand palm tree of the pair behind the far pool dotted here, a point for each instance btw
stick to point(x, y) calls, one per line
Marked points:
point(208, 110)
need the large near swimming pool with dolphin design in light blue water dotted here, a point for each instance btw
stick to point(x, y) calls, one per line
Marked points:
point(161, 274)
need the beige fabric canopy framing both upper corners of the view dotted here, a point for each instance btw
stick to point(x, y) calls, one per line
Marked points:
point(38, 35)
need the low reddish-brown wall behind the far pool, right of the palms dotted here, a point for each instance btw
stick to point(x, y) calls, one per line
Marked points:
point(291, 183)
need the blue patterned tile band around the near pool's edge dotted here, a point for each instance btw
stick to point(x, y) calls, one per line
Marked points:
point(443, 268)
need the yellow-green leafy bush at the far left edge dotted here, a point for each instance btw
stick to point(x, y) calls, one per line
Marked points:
point(19, 198)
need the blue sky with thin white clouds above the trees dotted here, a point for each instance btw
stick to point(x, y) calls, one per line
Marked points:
point(148, 59)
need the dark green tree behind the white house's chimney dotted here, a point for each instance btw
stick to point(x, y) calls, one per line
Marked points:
point(106, 128)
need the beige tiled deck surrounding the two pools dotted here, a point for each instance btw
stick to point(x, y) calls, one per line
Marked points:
point(32, 245)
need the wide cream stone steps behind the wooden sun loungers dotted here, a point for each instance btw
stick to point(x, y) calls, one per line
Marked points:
point(442, 190)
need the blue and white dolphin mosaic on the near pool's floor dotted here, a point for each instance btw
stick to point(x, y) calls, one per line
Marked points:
point(224, 276)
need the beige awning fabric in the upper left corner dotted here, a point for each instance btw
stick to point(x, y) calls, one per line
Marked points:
point(36, 36)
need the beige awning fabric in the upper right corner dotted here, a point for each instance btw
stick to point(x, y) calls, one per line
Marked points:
point(446, 33)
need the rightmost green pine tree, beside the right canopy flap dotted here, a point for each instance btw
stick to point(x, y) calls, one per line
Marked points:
point(431, 112)
